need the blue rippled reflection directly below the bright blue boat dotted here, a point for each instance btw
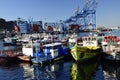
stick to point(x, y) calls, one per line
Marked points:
point(44, 72)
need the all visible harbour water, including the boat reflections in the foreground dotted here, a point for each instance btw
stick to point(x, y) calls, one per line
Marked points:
point(61, 70)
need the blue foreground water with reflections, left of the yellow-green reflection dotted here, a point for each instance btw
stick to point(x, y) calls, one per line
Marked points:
point(25, 71)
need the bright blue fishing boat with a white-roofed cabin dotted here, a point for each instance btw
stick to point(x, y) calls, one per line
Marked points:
point(51, 52)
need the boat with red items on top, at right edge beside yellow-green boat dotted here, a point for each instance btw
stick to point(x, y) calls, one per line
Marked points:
point(111, 48)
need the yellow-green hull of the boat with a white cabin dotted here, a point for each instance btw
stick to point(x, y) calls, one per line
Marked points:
point(83, 53)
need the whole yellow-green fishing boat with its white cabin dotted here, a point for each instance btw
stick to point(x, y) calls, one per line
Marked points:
point(86, 48)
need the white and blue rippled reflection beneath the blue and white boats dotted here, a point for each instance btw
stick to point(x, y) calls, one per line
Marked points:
point(38, 72)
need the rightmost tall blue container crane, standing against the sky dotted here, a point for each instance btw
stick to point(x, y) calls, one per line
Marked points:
point(90, 14)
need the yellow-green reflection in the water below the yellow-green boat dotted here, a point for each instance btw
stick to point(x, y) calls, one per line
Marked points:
point(83, 71)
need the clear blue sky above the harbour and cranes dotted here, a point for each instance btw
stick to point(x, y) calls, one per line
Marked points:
point(107, 11)
